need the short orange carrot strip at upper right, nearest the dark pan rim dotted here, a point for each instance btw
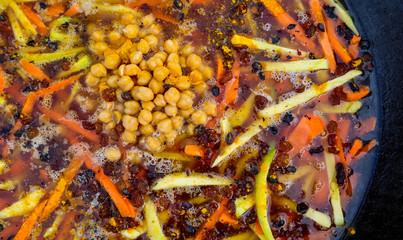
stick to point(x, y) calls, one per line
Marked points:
point(334, 39)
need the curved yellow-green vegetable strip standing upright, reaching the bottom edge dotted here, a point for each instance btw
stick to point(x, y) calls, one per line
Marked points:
point(262, 193)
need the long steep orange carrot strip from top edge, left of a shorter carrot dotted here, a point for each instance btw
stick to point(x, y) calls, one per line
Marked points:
point(323, 36)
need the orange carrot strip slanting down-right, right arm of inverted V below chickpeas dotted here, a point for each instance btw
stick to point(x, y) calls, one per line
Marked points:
point(124, 206)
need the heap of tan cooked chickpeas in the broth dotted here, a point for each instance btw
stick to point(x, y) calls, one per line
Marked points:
point(148, 84)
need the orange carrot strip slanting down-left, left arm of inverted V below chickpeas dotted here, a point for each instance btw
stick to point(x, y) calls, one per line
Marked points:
point(57, 194)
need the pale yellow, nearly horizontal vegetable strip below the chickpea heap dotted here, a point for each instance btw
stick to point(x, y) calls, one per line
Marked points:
point(193, 179)
